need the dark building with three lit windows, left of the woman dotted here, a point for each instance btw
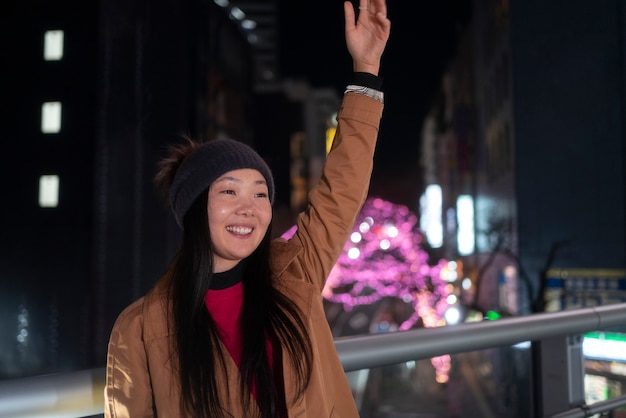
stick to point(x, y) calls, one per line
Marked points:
point(132, 76)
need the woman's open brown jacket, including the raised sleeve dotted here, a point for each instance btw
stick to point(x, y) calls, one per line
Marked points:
point(139, 381)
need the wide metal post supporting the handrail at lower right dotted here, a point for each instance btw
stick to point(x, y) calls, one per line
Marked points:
point(558, 366)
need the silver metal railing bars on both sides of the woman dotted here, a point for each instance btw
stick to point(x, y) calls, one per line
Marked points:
point(80, 394)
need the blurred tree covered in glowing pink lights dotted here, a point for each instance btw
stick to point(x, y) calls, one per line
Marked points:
point(384, 258)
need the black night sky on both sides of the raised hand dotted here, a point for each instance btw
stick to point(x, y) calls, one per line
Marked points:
point(423, 39)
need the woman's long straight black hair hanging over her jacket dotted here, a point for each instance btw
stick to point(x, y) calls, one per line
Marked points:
point(266, 313)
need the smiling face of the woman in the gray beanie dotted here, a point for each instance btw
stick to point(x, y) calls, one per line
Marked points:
point(239, 213)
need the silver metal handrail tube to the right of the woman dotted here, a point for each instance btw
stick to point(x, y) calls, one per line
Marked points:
point(366, 351)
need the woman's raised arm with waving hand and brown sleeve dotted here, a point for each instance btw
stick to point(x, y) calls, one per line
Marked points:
point(335, 202)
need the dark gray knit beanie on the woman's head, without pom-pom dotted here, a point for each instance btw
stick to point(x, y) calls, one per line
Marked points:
point(204, 165)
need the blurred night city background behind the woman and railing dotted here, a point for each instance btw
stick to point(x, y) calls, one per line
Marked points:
point(498, 187)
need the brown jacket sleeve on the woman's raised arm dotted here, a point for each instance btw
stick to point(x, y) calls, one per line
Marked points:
point(336, 200)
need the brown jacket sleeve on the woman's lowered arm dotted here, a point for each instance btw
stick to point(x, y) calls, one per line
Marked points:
point(127, 391)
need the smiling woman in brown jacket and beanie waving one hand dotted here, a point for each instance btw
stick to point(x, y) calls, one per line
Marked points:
point(236, 325)
